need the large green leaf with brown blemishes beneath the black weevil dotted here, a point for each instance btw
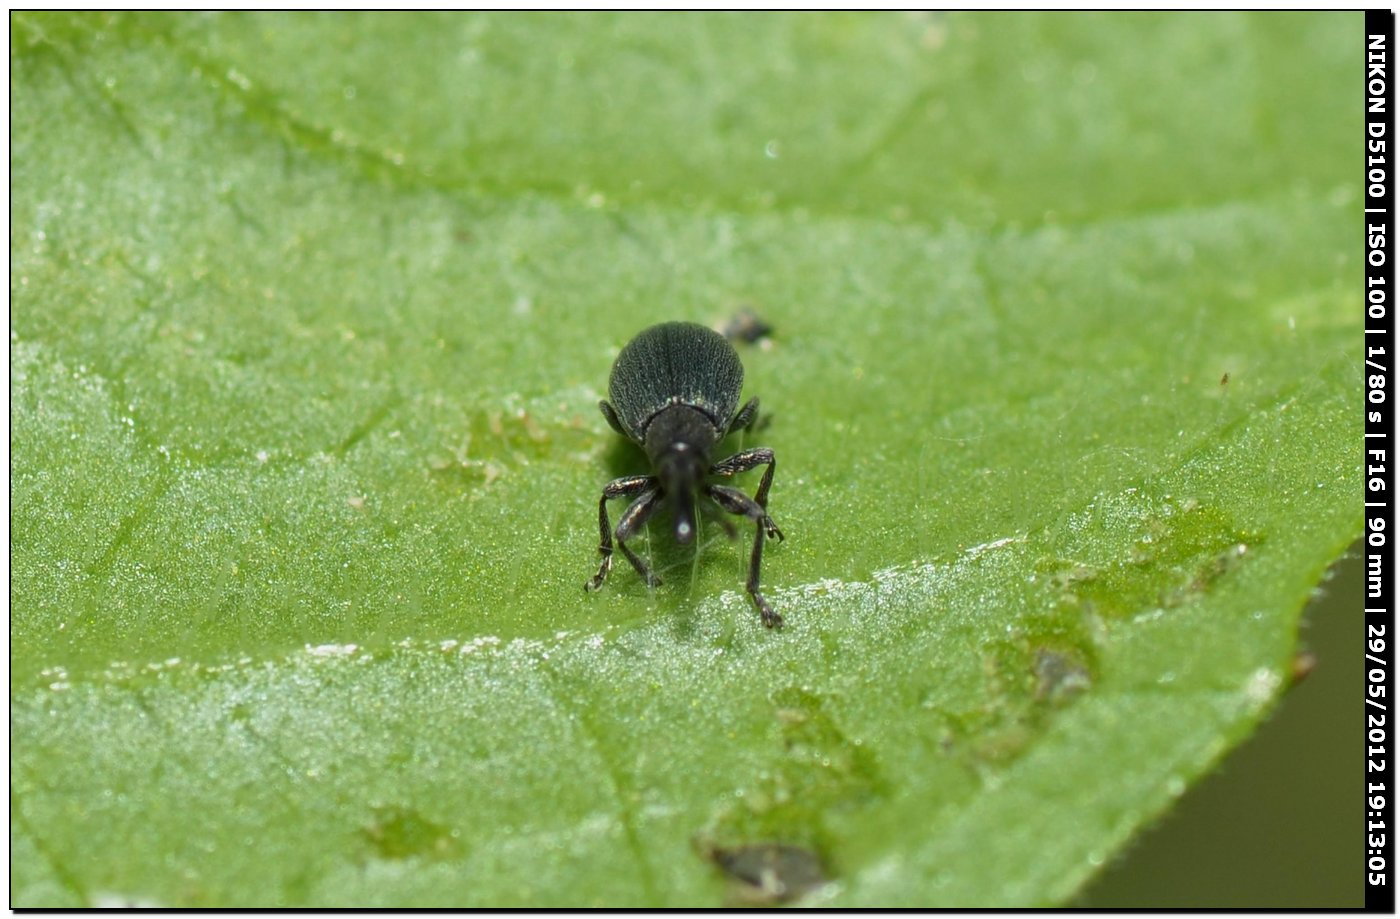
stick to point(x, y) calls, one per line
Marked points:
point(311, 317)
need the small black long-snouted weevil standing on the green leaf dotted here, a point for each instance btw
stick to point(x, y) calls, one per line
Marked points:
point(674, 390)
